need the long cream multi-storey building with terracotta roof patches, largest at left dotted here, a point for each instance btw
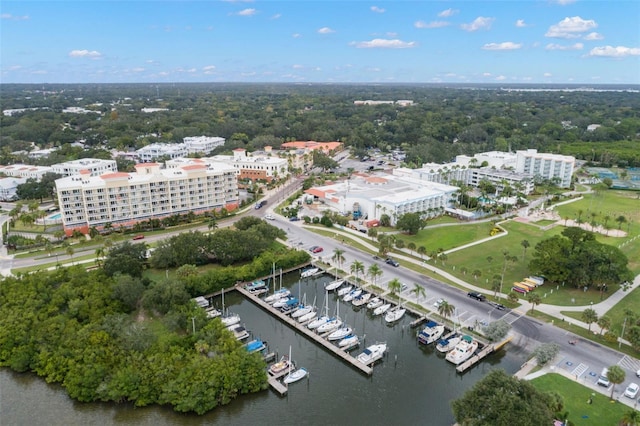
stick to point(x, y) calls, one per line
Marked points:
point(123, 199)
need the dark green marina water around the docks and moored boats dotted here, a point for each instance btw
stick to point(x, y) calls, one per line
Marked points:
point(412, 385)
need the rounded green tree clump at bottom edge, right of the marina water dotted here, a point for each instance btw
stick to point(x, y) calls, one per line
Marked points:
point(502, 400)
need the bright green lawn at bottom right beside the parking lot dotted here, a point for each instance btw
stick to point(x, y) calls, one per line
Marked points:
point(575, 396)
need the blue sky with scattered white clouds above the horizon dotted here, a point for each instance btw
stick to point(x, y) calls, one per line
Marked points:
point(535, 41)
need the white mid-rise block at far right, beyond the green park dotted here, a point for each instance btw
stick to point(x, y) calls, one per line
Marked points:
point(546, 166)
